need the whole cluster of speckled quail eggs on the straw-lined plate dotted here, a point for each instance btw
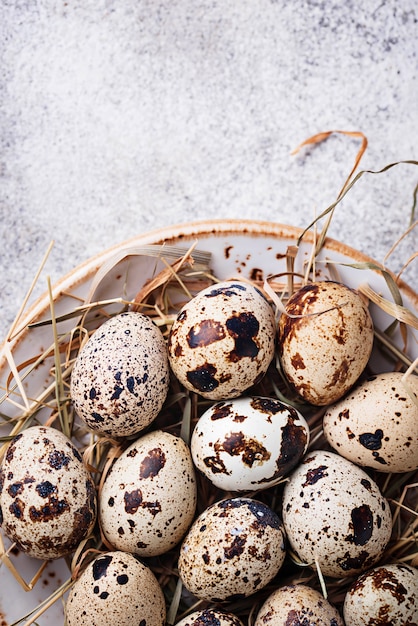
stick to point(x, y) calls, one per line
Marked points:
point(325, 511)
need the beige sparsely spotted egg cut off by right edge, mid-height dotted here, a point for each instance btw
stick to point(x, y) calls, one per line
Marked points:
point(376, 424)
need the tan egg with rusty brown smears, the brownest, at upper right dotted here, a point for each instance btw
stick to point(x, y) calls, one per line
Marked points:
point(325, 347)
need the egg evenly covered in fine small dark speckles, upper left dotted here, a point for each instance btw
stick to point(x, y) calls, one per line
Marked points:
point(120, 378)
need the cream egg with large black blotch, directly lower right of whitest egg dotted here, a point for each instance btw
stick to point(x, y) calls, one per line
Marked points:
point(334, 512)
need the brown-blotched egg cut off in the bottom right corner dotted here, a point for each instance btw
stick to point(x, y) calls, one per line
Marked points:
point(386, 595)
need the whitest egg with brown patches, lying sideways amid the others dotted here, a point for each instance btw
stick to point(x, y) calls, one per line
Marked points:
point(248, 443)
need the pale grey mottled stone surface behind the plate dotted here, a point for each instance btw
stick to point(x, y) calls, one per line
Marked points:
point(120, 117)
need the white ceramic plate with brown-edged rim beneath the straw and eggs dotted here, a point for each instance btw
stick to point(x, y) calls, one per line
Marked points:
point(245, 249)
